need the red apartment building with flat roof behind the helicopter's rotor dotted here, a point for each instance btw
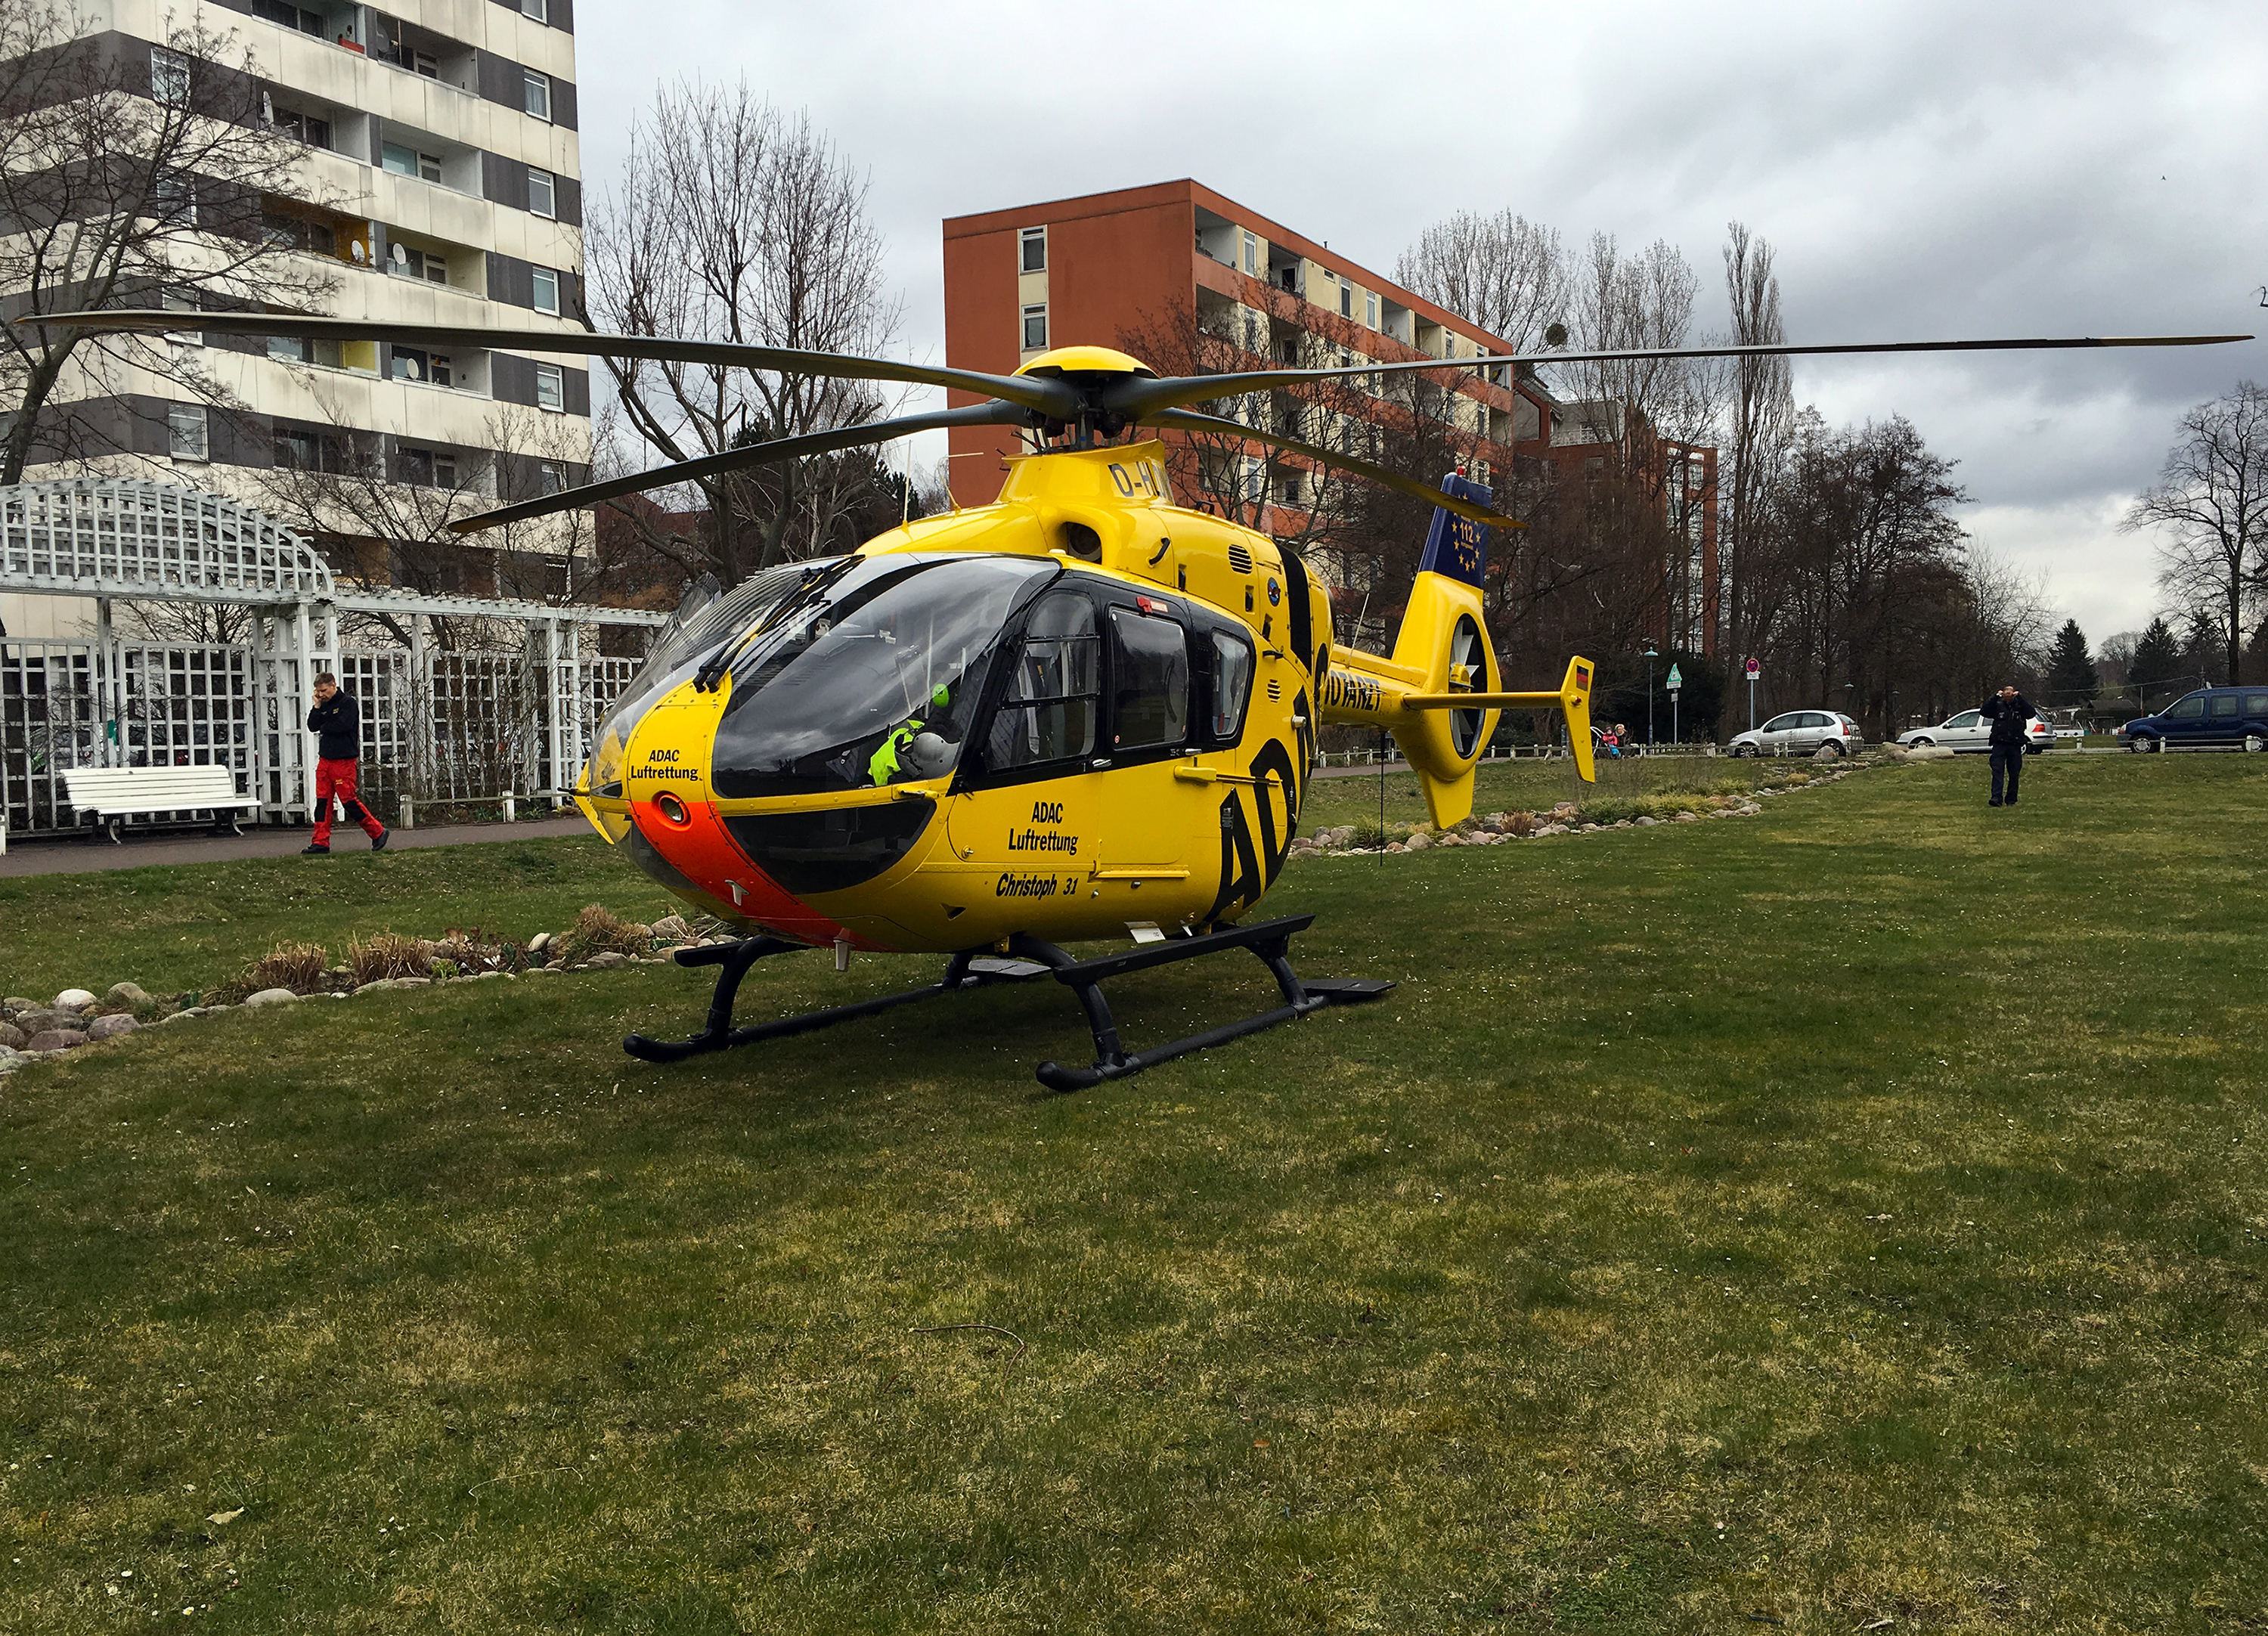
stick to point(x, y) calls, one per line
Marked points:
point(1176, 255)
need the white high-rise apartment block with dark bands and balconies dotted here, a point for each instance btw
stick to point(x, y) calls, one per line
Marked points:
point(441, 149)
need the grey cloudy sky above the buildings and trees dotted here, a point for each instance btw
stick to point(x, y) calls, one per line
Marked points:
point(1922, 169)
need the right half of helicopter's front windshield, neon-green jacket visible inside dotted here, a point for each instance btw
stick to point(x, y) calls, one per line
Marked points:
point(874, 682)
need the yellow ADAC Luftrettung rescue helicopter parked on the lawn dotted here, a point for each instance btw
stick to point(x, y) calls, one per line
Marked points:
point(1078, 714)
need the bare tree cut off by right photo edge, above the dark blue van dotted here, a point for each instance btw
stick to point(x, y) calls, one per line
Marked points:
point(2210, 507)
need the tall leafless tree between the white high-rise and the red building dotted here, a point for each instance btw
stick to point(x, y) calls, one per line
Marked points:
point(736, 221)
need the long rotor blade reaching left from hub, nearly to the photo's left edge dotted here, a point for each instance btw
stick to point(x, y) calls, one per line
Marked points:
point(1042, 396)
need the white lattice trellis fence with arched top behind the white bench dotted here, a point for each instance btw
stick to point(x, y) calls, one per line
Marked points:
point(439, 725)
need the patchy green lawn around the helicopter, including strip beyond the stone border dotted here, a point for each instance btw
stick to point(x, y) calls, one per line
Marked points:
point(1838, 1220)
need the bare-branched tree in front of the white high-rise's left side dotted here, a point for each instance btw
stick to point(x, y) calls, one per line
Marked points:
point(128, 176)
